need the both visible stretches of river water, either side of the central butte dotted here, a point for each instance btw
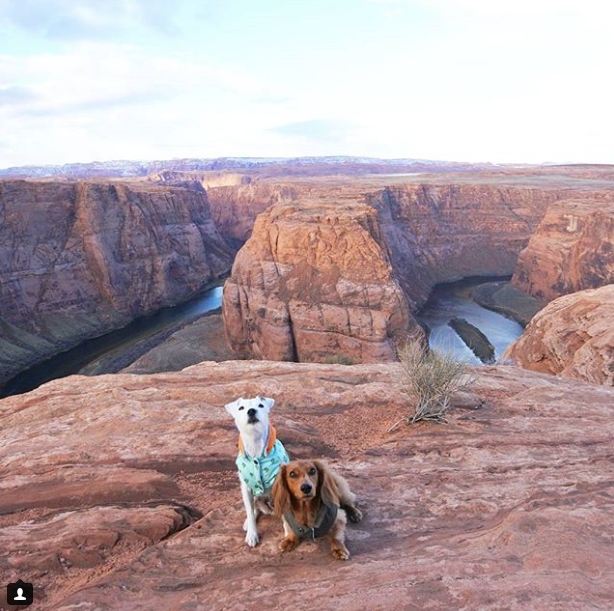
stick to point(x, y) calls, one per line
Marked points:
point(102, 354)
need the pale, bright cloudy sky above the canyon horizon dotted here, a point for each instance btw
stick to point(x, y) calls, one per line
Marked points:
point(501, 81)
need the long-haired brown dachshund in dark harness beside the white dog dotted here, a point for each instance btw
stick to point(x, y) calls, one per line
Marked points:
point(313, 502)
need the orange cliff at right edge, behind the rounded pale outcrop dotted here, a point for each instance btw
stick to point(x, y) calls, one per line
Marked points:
point(572, 249)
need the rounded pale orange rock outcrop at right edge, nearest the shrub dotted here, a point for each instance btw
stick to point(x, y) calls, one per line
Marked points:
point(573, 336)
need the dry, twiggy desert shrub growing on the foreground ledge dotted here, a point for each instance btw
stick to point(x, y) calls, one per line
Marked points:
point(431, 378)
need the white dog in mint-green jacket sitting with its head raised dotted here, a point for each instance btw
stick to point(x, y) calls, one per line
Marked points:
point(260, 456)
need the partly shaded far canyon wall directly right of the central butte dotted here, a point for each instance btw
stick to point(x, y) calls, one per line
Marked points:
point(439, 233)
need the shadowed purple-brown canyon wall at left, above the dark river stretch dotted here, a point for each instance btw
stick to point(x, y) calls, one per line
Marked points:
point(81, 259)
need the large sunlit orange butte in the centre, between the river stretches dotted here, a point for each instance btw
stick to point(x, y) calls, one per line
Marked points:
point(313, 282)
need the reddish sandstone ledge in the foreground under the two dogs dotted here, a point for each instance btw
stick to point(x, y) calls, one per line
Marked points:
point(510, 506)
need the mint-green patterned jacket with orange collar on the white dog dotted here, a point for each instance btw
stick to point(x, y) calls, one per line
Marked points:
point(259, 473)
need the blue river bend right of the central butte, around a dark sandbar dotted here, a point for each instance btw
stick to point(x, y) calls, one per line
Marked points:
point(453, 300)
